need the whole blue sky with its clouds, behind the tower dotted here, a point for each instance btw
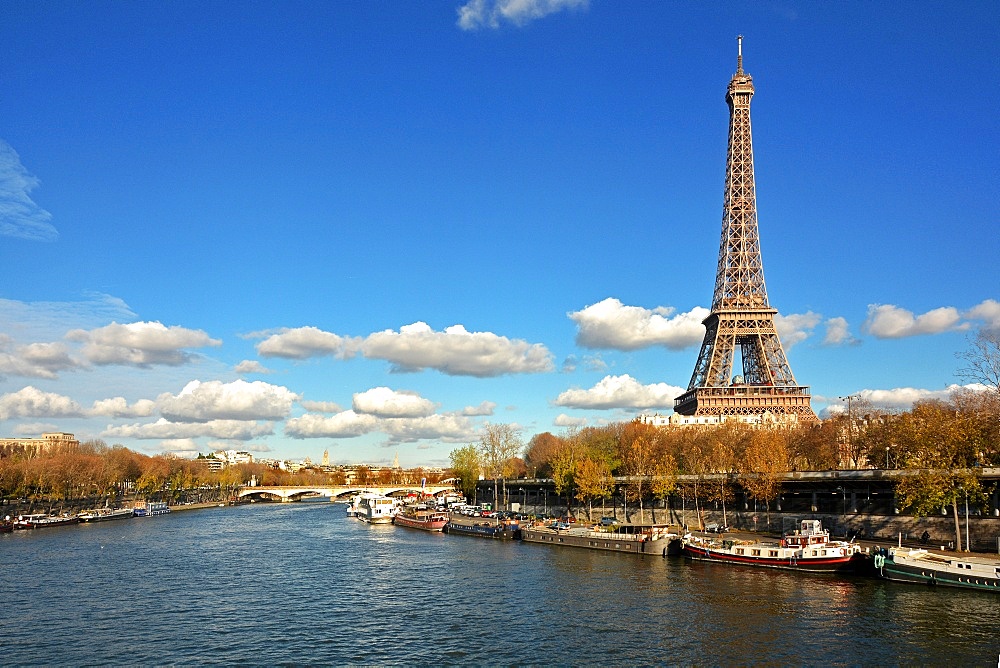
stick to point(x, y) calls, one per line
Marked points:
point(371, 227)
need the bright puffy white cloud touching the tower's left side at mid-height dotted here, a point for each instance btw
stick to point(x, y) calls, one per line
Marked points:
point(611, 324)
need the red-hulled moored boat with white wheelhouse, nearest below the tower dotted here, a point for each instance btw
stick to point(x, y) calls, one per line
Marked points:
point(807, 549)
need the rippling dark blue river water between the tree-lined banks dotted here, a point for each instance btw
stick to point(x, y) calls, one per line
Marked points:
point(295, 584)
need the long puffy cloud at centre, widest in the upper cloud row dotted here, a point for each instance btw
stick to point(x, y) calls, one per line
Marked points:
point(456, 351)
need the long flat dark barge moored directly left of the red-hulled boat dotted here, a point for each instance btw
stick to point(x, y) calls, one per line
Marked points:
point(651, 539)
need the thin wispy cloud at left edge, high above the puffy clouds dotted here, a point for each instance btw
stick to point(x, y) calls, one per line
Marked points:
point(20, 217)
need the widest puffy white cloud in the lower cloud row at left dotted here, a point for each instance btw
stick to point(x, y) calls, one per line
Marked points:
point(238, 400)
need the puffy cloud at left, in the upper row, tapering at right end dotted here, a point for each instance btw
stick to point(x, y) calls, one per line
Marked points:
point(140, 344)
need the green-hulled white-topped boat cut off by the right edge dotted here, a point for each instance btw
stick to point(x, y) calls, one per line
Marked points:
point(921, 566)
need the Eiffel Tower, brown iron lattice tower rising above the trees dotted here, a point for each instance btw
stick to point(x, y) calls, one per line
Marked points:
point(741, 318)
